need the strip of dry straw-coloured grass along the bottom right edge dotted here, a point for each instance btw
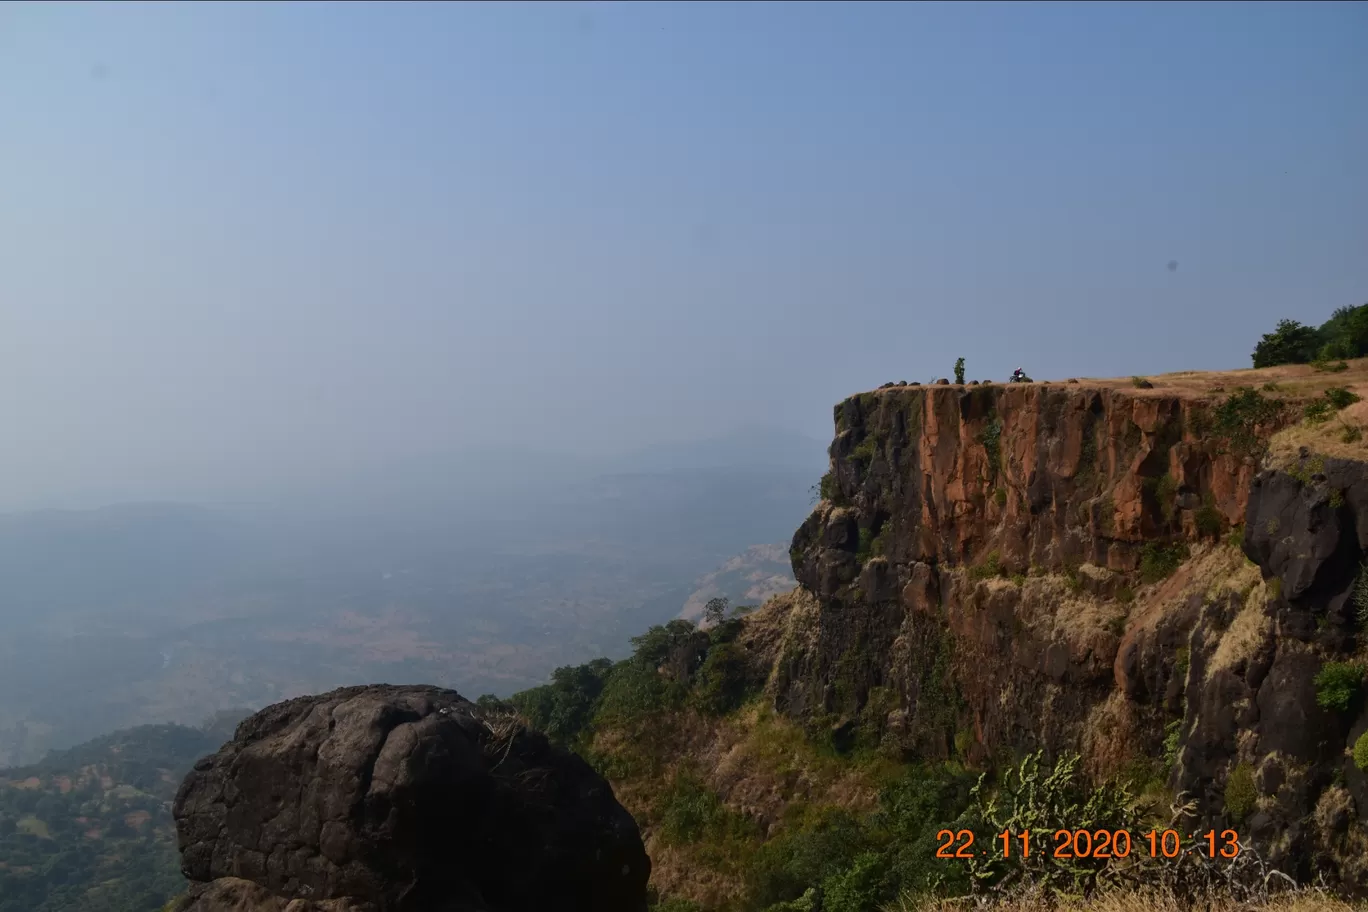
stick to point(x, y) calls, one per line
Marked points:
point(1135, 902)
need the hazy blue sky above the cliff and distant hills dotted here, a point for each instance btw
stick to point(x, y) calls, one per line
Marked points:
point(246, 248)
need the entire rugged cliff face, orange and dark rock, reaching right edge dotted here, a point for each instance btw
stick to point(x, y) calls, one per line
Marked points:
point(1001, 569)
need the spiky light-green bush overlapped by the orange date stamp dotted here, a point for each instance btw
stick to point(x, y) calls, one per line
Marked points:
point(1044, 802)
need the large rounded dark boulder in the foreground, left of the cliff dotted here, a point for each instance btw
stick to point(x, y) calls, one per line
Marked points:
point(396, 799)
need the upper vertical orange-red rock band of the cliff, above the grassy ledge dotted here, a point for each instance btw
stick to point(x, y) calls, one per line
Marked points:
point(1043, 477)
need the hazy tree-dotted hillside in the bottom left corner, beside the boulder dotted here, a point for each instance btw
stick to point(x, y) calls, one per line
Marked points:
point(91, 831)
